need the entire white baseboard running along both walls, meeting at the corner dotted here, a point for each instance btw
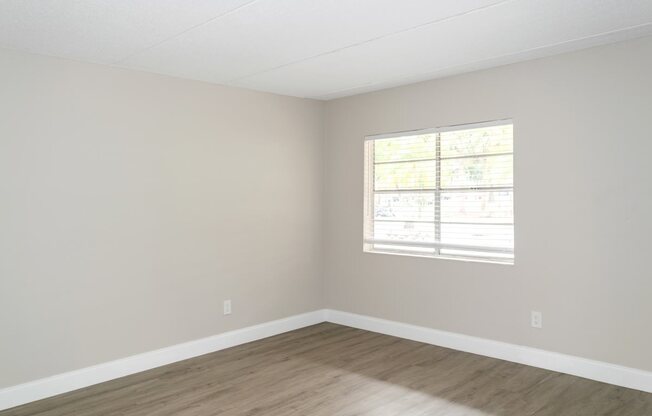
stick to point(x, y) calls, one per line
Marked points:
point(73, 380)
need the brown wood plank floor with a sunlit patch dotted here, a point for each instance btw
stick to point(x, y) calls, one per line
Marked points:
point(327, 370)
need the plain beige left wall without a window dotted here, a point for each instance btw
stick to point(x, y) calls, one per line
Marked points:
point(132, 204)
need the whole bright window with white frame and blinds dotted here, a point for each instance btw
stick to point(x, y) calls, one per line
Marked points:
point(444, 192)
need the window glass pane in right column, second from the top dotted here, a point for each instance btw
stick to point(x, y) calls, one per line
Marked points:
point(477, 172)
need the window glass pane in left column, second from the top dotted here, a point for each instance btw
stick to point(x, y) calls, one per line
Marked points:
point(405, 175)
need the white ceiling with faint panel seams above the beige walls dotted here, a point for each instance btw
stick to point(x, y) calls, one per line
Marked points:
point(315, 48)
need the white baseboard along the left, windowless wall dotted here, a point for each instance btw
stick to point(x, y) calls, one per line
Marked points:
point(84, 377)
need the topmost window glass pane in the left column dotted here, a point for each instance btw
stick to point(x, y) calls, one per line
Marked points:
point(405, 148)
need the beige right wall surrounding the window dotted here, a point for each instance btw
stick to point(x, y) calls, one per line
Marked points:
point(583, 206)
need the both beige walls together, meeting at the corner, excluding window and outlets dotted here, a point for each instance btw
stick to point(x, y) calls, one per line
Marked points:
point(132, 204)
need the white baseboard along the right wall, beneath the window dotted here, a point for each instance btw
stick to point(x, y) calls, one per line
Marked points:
point(568, 364)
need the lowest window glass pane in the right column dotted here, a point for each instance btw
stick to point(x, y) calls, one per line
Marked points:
point(478, 235)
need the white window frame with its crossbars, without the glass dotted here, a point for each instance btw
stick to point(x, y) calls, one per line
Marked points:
point(369, 192)
